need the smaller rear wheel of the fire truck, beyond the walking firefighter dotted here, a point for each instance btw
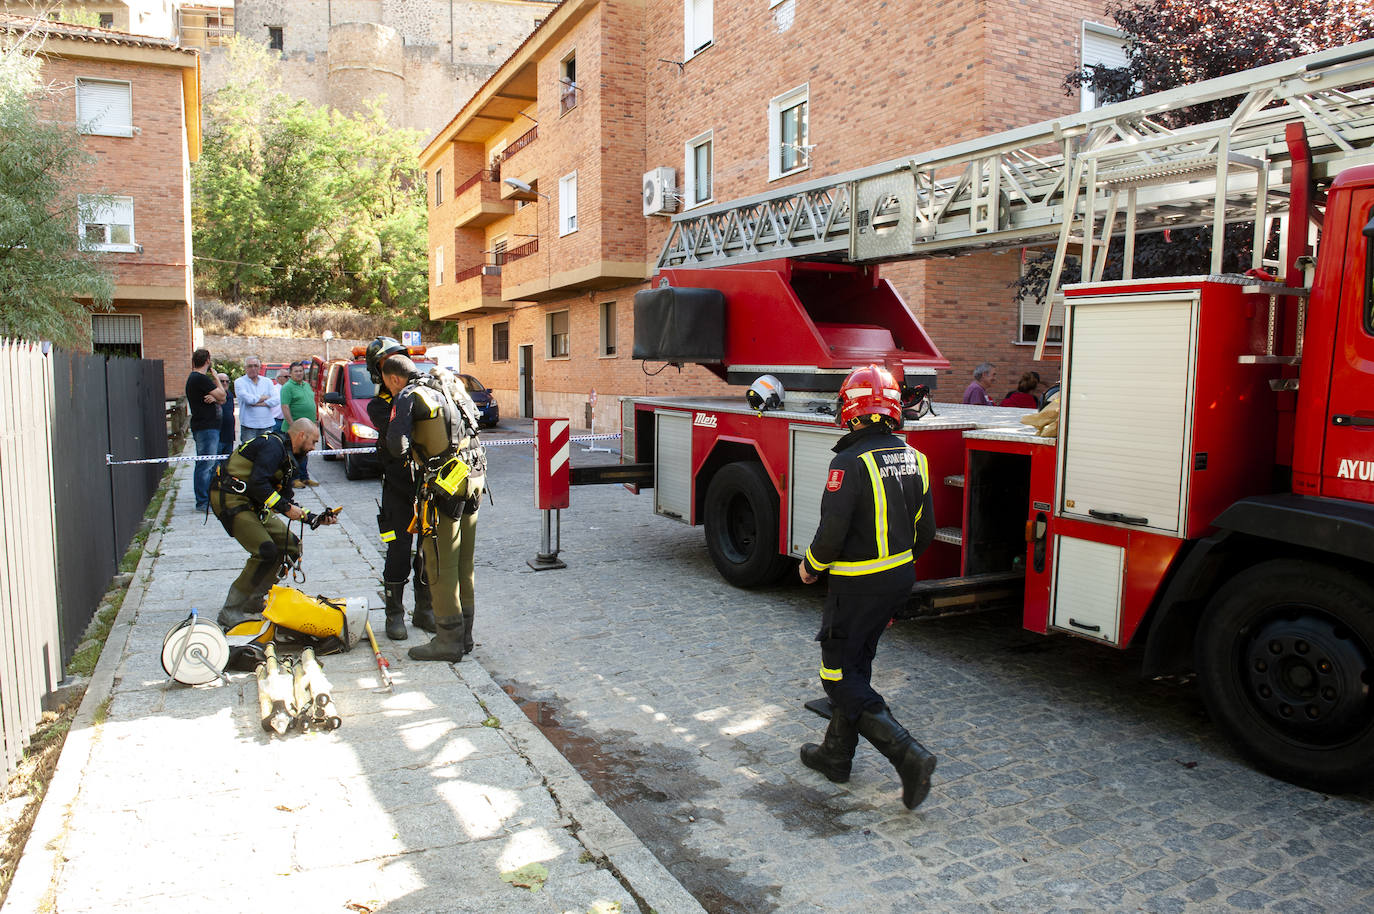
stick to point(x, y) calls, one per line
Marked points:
point(743, 526)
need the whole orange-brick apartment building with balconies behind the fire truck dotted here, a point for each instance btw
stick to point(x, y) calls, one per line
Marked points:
point(538, 233)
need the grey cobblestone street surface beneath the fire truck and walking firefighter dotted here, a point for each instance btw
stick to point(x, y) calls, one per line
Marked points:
point(1066, 784)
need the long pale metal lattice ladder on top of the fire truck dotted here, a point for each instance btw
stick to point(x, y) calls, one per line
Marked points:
point(1063, 182)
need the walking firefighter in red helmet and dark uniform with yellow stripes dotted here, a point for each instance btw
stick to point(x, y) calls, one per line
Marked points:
point(876, 520)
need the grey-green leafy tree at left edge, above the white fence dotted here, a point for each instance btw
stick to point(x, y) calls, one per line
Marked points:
point(43, 269)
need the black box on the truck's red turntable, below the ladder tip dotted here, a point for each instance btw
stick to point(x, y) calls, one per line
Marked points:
point(681, 325)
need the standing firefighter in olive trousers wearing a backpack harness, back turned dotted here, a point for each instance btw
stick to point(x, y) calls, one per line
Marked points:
point(436, 431)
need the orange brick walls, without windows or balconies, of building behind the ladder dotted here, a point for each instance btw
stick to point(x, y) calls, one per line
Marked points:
point(881, 83)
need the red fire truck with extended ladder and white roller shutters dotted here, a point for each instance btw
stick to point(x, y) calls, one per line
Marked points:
point(1210, 491)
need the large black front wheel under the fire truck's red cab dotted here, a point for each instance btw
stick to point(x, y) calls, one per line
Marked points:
point(1285, 659)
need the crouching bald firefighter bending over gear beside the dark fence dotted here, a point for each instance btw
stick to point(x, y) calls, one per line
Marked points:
point(248, 493)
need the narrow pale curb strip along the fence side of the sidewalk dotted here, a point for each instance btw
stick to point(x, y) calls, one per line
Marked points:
point(43, 854)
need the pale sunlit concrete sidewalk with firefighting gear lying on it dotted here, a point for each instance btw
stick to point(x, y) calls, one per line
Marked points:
point(174, 799)
